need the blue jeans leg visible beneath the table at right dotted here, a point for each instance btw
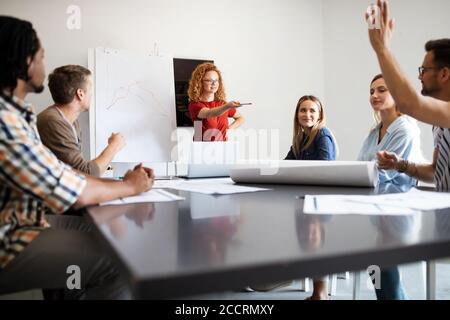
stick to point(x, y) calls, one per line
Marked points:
point(391, 285)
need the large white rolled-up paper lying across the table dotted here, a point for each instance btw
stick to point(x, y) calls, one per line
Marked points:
point(329, 173)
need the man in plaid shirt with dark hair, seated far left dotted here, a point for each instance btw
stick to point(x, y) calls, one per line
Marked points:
point(36, 251)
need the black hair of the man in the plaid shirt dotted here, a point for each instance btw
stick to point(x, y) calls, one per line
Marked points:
point(18, 43)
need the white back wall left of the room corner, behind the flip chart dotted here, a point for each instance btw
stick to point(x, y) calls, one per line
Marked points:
point(258, 44)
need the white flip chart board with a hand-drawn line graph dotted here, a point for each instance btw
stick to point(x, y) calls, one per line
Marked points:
point(133, 94)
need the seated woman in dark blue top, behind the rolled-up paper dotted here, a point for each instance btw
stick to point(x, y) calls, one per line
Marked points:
point(311, 140)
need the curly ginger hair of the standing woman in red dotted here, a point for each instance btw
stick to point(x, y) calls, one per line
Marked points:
point(196, 85)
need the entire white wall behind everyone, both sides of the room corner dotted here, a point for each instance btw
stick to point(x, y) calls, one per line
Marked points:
point(271, 52)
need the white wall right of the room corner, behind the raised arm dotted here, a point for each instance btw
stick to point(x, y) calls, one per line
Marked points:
point(350, 63)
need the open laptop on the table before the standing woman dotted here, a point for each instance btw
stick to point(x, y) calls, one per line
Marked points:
point(211, 159)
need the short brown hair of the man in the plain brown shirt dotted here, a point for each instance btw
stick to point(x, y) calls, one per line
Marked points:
point(64, 81)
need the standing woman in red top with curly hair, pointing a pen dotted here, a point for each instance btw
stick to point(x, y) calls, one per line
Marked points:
point(208, 107)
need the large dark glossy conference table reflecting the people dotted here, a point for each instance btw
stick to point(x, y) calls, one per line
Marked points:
point(209, 243)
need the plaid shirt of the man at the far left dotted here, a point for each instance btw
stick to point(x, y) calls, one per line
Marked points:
point(32, 180)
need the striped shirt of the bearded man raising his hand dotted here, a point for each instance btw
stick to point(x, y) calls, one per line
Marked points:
point(442, 172)
